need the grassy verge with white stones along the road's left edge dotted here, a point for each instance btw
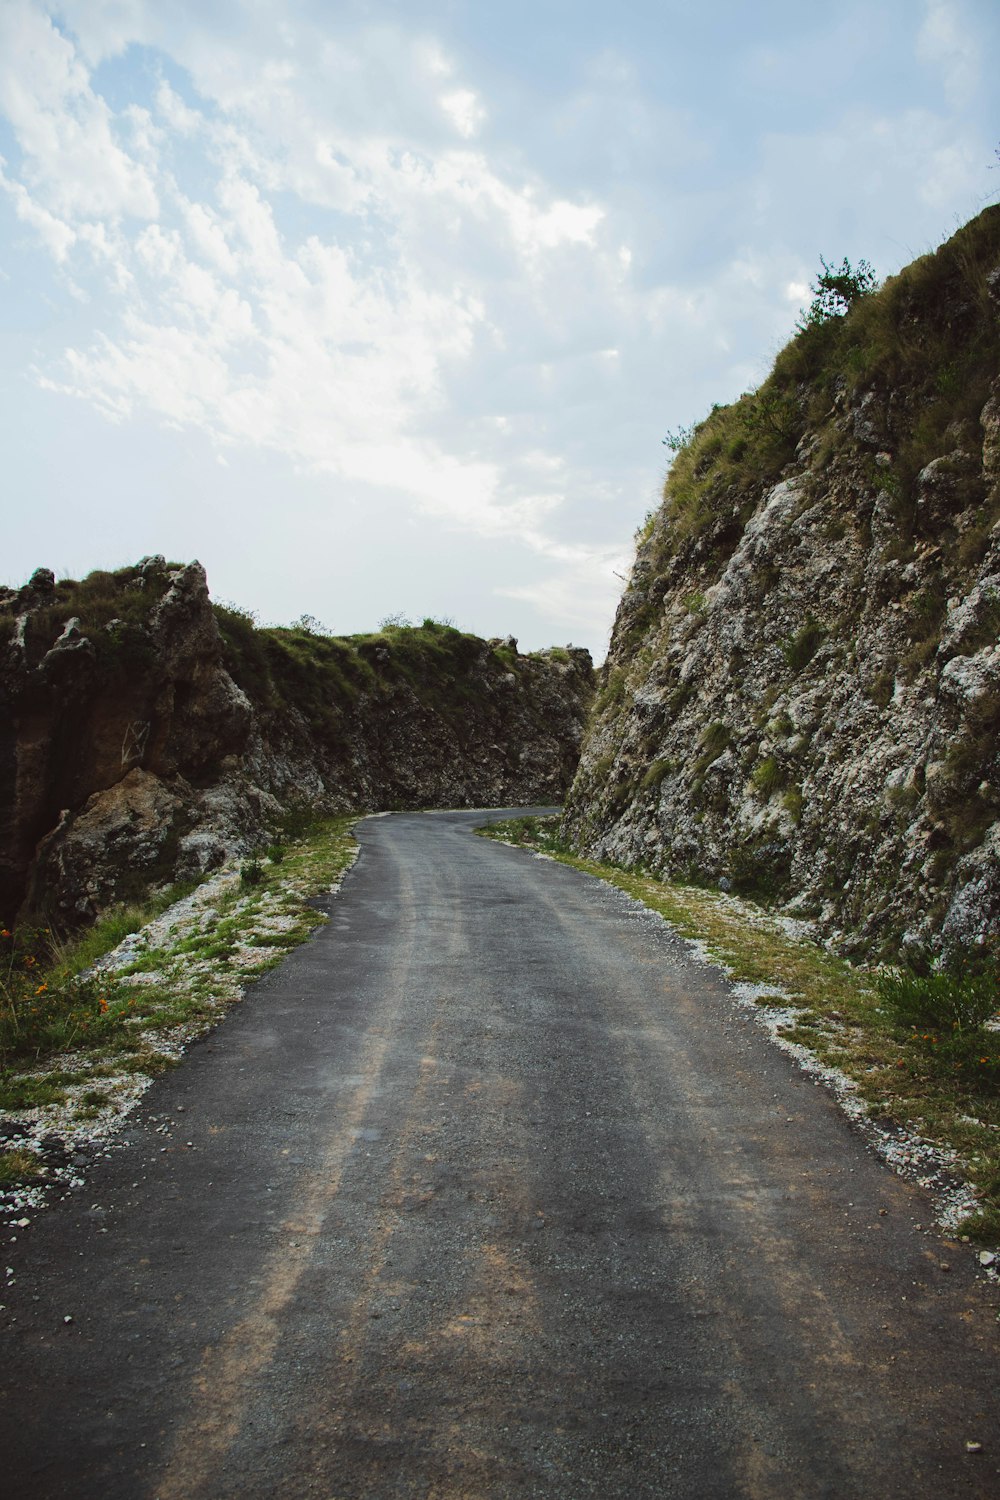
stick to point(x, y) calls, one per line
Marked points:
point(83, 1025)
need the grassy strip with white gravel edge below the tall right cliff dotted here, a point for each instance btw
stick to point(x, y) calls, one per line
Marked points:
point(942, 1084)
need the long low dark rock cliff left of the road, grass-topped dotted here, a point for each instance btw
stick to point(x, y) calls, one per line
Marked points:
point(146, 734)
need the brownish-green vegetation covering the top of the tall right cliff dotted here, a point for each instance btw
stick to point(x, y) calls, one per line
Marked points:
point(932, 331)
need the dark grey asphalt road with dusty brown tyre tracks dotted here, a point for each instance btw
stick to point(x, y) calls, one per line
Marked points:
point(491, 1190)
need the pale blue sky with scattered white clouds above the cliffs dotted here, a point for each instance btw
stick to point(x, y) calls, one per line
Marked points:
point(385, 310)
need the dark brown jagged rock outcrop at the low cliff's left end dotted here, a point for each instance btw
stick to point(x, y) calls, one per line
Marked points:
point(142, 688)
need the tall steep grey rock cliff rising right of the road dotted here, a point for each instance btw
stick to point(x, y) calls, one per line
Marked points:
point(803, 692)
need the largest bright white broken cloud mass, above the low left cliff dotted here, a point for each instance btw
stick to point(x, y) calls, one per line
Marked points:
point(304, 346)
